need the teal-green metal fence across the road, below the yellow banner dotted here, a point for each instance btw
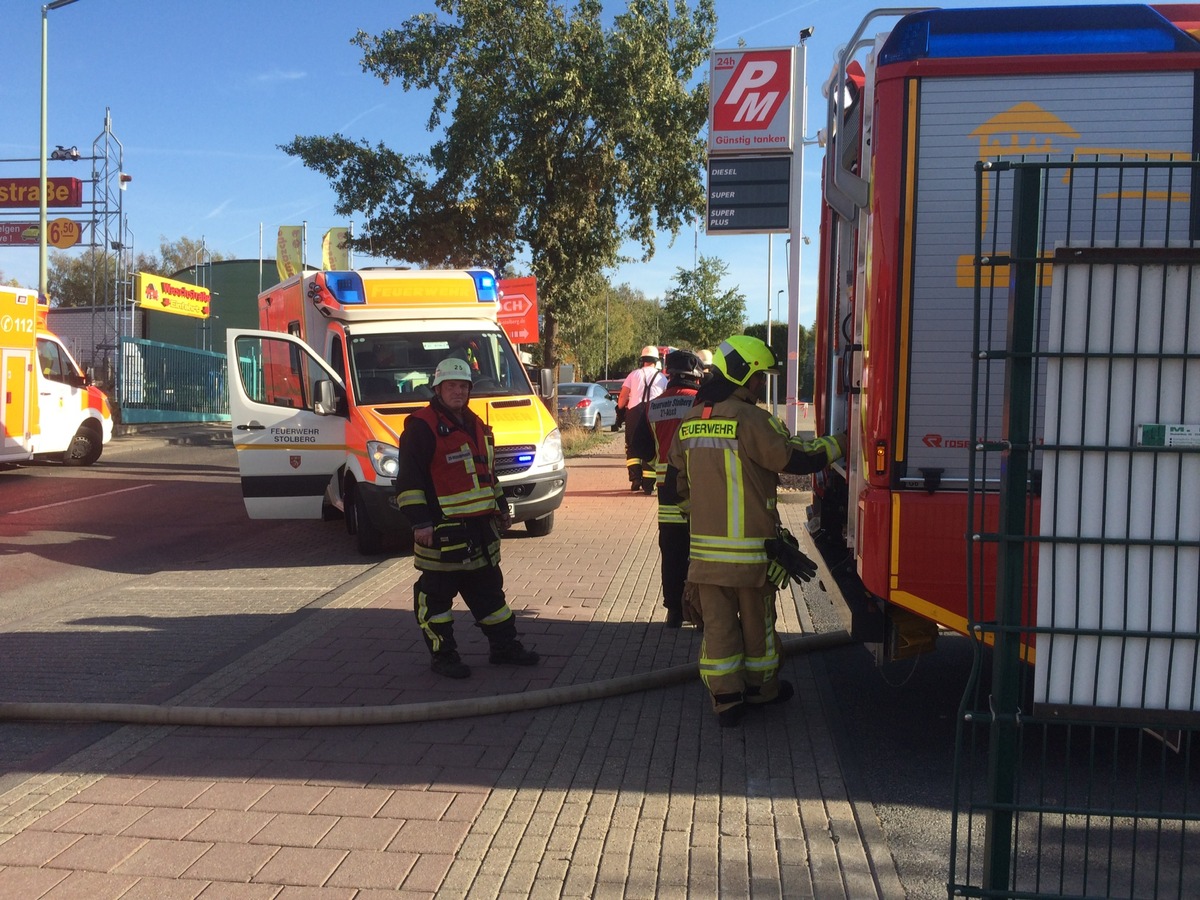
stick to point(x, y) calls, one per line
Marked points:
point(165, 383)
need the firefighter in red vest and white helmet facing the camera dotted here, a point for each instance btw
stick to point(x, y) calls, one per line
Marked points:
point(447, 489)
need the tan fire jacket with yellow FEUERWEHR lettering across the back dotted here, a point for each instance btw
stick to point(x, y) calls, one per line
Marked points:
point(723, 471)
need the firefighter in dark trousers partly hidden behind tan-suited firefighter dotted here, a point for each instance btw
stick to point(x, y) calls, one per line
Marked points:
point(656, 433)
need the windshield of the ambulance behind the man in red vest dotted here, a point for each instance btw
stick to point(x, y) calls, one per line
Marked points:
point(399, 368)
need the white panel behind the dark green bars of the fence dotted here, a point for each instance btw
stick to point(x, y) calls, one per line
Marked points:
point(1119, 495)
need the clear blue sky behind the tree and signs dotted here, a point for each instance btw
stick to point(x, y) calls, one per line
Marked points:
point(201, 95)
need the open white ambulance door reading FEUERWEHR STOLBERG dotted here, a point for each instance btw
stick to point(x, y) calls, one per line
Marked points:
point(289, 422)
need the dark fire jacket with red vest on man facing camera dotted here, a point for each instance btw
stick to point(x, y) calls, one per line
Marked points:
point(447, 477)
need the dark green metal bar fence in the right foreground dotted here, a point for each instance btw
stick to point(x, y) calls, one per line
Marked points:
point(1077, 760)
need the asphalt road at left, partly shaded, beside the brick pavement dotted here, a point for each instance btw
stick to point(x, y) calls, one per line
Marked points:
point(134, 579)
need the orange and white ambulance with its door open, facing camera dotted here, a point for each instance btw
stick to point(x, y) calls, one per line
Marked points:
point(320, 394)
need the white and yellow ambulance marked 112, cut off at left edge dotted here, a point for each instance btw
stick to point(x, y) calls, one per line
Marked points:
point(51, 409)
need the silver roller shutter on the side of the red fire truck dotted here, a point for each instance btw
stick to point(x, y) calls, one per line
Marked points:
point(1036, 117)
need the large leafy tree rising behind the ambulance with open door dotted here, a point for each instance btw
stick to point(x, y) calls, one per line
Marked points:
point(563, 140)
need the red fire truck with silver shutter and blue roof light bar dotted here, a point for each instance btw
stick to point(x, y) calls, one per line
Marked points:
point(916, 99)
